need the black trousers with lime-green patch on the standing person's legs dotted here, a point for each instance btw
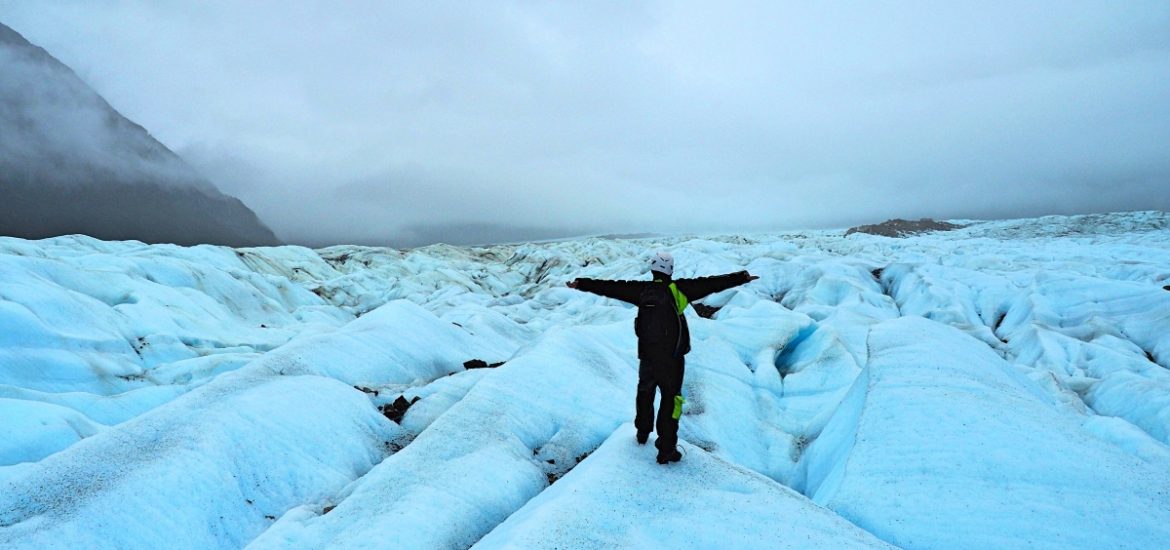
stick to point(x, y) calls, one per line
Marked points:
point(664, 374)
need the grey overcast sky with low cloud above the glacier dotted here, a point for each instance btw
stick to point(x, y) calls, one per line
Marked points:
point(411, 122)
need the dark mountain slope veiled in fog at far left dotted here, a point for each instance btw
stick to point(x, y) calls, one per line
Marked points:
point(71, 163)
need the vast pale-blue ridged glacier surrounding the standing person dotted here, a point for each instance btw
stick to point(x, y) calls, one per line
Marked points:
point(1004, 384)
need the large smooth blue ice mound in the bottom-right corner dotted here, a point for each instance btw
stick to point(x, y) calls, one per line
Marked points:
point(958, 450)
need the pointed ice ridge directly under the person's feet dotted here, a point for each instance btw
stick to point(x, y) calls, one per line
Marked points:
point(622, 498)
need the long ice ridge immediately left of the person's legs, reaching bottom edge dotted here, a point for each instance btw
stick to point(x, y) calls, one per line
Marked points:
point(474, 465)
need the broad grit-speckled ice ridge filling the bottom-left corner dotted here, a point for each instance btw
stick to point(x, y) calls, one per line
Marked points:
point(203, 472)
